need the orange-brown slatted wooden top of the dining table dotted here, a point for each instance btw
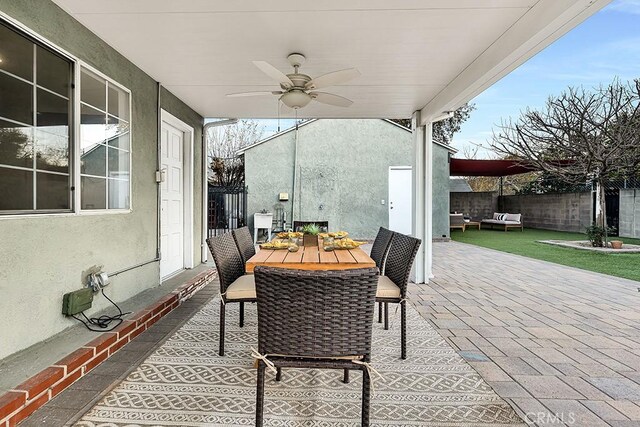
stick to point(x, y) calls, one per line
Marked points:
point(311, 258)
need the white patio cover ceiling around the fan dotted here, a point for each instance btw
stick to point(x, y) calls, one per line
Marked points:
point(430, 55)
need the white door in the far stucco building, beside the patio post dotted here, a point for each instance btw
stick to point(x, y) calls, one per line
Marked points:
point(400, 199)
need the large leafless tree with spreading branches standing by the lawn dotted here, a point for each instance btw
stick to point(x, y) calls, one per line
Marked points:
point(579, 136)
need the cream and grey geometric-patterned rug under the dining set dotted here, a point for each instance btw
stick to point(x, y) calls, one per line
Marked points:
point(185, 383)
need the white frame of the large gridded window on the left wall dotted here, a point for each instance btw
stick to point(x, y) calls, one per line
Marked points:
point(74, 157)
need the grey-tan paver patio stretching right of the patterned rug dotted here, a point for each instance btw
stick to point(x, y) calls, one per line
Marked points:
point(561, 345)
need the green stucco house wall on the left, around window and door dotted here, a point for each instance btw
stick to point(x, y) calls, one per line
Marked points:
point(44, 257)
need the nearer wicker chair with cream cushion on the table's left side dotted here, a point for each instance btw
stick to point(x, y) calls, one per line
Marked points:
point(235, 286)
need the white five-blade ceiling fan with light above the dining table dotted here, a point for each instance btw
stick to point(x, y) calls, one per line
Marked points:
point(299, 89)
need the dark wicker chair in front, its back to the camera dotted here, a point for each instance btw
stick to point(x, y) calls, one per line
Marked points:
point(315, 319)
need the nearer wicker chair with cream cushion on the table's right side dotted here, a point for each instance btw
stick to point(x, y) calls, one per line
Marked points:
point(392, 286)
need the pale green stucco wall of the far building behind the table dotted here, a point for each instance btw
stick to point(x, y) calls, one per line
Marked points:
point(343, 167)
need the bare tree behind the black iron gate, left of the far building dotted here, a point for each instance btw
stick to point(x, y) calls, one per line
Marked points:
point(226, 167)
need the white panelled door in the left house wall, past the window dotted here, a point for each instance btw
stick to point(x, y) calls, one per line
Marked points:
point(172, 201)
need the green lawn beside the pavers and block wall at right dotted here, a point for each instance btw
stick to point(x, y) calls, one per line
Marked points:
point(525, 243)
